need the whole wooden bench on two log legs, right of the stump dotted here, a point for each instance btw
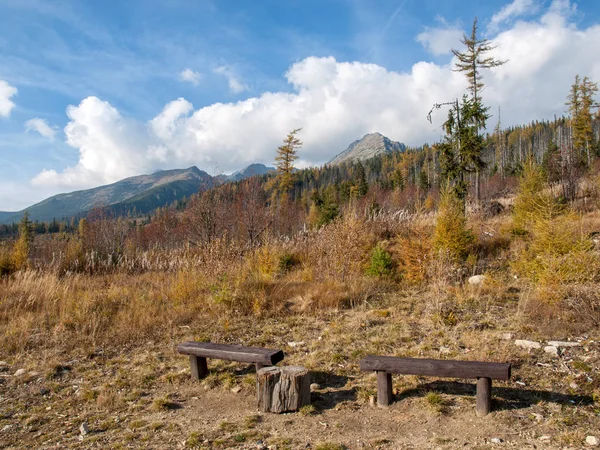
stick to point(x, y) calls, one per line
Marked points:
point(484, 372)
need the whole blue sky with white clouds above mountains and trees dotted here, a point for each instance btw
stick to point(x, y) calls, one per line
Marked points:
point(92, 91)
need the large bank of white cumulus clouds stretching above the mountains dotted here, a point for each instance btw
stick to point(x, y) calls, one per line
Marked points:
point(335, 103)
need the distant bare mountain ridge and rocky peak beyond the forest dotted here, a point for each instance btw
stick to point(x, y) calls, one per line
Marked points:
point(145, 193)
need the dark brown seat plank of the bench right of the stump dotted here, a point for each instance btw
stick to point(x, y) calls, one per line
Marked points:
point(436, 367)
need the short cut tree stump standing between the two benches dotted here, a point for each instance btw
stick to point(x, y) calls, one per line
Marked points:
point(282, 389)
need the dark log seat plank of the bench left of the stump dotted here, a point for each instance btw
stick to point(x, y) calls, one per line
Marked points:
point(238, 353)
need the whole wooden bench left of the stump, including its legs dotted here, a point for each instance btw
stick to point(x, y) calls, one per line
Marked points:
point(200, 351)
